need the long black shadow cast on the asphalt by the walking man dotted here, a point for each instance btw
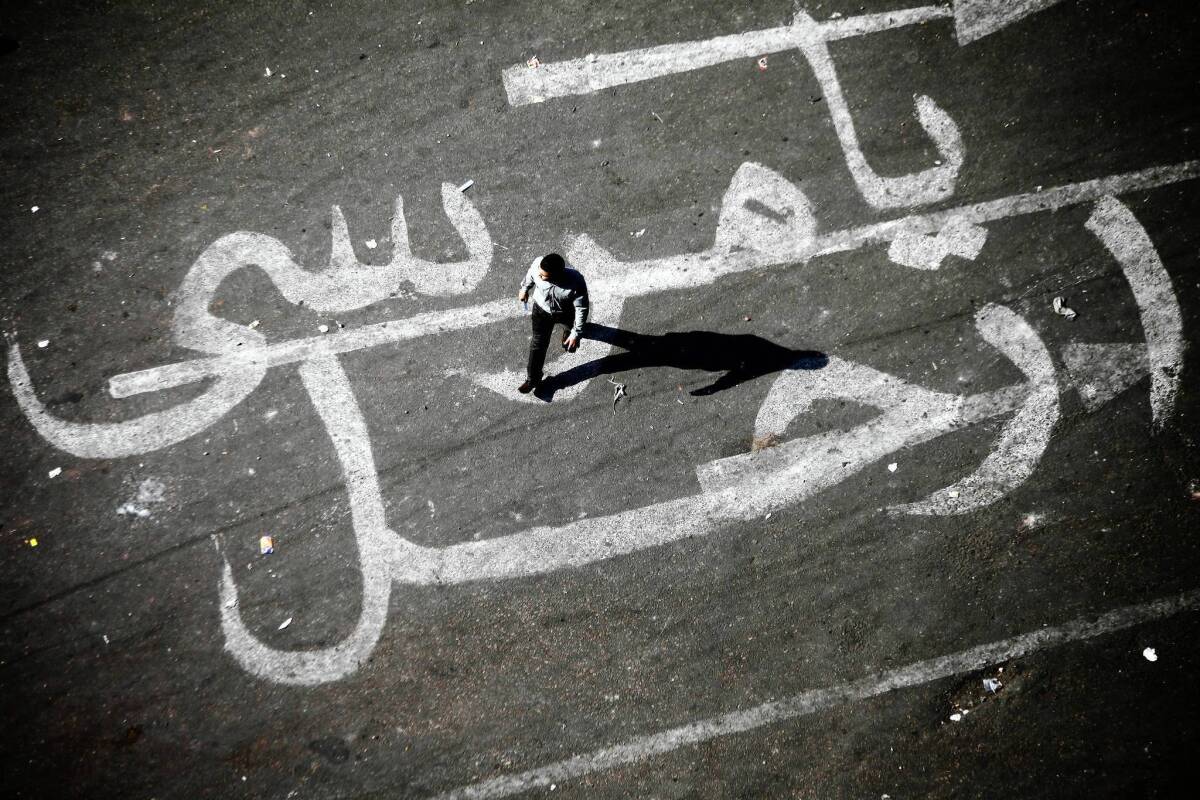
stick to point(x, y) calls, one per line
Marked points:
point(737, 357)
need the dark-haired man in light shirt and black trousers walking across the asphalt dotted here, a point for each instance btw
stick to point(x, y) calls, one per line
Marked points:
point(560, 297)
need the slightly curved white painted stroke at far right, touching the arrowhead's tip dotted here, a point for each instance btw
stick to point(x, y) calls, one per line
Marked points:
point(1160, 309)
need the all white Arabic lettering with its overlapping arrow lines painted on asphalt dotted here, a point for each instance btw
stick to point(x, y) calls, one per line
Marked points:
point(235, 358)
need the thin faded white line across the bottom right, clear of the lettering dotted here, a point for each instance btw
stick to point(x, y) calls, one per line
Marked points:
point(775, 712)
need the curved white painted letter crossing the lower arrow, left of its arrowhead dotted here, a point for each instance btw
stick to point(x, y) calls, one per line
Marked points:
point(1024, 440)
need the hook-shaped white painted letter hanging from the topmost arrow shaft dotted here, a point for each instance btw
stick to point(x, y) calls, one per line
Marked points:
point(920, 189)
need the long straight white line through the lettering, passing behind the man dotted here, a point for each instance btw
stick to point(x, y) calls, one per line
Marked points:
point(685, 270)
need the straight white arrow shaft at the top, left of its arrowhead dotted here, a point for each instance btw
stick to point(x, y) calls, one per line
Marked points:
point(593, 74)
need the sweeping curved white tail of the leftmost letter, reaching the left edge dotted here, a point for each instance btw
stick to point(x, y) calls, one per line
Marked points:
point(133, 437)
